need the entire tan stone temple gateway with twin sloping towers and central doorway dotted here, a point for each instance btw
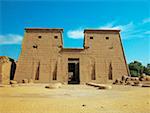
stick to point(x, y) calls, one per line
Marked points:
point(44, 59)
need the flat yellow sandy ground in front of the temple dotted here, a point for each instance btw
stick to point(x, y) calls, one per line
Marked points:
point(74, 99)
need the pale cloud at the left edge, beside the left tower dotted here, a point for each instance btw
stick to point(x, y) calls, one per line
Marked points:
point(10, 39)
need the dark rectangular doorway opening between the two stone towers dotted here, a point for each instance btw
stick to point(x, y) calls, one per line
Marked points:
point(73, 71)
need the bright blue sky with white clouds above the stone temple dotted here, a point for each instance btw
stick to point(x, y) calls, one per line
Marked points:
point(132, 17)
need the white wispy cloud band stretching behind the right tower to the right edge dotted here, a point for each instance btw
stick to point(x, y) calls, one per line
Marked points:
point(128, 31)
